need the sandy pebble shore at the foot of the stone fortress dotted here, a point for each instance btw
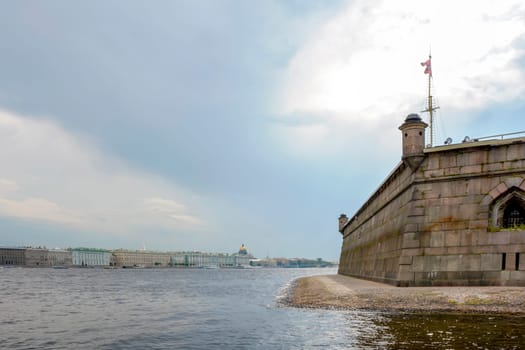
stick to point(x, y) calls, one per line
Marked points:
point(342, 292)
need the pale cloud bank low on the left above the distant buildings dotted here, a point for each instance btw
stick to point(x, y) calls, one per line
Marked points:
point(51, 175)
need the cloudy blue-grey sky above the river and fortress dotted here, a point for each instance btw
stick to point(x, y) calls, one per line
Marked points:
point(202, 125)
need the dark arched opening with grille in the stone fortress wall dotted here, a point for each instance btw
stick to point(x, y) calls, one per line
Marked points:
point(508, 210)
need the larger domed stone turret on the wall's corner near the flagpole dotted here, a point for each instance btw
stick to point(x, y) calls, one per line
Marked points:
point(413, 130)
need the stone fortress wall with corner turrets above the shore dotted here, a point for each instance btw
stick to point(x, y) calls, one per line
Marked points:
point(448, 215)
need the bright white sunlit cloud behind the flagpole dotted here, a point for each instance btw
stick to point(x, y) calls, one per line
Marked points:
point(362, 66)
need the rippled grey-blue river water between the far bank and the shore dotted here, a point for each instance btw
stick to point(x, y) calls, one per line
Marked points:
point(213, 309)
